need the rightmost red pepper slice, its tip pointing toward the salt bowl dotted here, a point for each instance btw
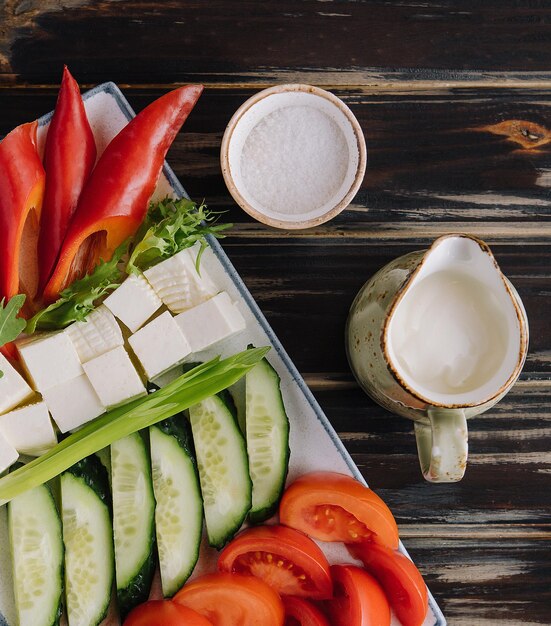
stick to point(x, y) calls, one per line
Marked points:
point(114, 201)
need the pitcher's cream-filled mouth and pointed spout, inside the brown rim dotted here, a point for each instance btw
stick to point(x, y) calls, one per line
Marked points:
point(456, 333)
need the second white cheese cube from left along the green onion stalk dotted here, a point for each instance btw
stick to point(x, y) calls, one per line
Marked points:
point(29, 429)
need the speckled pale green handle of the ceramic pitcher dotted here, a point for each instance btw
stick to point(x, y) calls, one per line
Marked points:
point(442, 445)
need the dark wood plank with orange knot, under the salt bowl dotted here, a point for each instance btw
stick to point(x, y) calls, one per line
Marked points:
point(464, 170)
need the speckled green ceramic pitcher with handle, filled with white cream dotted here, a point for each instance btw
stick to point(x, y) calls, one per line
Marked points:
point(438, 336)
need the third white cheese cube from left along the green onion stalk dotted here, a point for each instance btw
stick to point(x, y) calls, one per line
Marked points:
point(73, 403)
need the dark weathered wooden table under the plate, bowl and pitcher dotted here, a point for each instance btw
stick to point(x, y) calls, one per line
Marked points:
point(455, 102)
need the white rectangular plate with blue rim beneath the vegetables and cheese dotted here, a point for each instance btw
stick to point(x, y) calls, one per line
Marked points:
point(314, 443)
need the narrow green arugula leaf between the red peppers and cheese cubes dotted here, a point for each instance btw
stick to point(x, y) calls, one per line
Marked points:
point(80, 297)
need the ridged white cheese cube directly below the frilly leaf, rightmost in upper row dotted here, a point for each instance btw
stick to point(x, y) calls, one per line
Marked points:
point(178, 283)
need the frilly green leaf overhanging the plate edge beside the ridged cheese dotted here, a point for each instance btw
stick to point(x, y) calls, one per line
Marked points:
point(170, 226)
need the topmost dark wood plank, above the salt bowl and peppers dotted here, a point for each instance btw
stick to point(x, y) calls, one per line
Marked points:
point(144, 41)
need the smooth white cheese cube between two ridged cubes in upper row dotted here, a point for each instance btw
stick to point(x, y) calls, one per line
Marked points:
point(134, 302)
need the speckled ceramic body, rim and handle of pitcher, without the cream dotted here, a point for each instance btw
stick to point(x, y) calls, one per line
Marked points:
point(440, 420)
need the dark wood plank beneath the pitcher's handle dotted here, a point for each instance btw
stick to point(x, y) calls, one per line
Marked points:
point(509, 448)
